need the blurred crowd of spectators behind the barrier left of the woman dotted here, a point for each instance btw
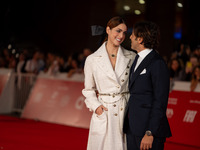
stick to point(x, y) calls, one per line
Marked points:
point(36, 61)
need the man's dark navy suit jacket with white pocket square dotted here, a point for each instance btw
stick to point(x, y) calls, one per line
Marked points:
point(146, 109)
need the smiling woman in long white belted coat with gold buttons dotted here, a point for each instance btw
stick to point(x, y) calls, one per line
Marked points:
point(106, 88)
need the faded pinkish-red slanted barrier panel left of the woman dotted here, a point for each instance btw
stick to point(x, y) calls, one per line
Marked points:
point(58, 101)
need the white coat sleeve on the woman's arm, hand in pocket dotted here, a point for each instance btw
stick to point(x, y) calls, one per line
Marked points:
point(89, 90)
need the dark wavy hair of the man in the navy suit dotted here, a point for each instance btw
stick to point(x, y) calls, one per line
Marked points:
point(150, 33)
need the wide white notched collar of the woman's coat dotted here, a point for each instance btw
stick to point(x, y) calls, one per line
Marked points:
point(104, 63)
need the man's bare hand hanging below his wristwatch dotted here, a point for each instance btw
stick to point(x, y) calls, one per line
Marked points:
point(146, 142)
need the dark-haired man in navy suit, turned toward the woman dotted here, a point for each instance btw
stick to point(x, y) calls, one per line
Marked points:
point(146, 125)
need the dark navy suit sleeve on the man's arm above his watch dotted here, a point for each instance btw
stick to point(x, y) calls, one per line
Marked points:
point(160, 82)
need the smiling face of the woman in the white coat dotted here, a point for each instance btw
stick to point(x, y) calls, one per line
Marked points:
point(117, 34)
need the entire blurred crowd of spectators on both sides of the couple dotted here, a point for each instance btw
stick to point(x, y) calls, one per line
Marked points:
point(184, 63)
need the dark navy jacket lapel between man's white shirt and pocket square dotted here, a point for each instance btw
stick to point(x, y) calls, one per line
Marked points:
point(143, 65)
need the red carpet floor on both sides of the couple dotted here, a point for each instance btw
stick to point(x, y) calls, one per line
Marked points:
point(24, 134)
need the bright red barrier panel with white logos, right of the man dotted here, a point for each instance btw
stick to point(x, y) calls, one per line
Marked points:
point(183, 113)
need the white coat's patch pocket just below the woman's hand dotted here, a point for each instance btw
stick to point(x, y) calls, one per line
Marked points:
point(98, 124)
